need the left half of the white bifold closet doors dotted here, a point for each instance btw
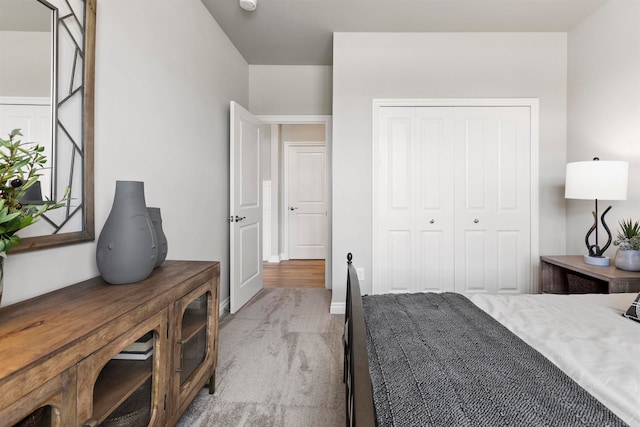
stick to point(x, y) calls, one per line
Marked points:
point(413, 199)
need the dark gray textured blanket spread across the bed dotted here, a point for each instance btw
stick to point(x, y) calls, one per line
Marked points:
point(438, 360)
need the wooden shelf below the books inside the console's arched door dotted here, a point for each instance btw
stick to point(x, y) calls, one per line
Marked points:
point(117, 381)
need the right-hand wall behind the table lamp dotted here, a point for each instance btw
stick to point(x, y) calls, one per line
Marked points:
point(604, 109)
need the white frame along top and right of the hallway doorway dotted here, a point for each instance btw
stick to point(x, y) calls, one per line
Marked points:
point(327, 121)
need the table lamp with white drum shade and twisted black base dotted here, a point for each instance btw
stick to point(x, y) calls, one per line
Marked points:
point(597, 180)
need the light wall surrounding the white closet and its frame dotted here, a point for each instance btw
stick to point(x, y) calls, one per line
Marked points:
point(438, 65)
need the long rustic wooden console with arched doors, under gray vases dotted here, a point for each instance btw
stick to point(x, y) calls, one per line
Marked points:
point(69, 357)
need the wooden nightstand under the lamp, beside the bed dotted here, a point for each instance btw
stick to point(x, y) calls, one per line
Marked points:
point(570, 275)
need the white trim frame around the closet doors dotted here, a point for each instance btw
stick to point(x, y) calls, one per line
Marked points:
point(532, 103)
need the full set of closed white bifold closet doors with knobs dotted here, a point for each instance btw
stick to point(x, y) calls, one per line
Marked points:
point(452, 202)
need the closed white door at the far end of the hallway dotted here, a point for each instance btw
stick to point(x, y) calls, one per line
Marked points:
point(306, 200)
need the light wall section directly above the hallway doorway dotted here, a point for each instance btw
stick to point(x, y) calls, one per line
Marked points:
point(290, 89)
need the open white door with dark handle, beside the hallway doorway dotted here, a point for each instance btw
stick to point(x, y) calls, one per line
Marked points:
point(245, 218)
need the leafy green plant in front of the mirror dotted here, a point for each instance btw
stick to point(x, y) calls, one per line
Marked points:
point(20, 166)
